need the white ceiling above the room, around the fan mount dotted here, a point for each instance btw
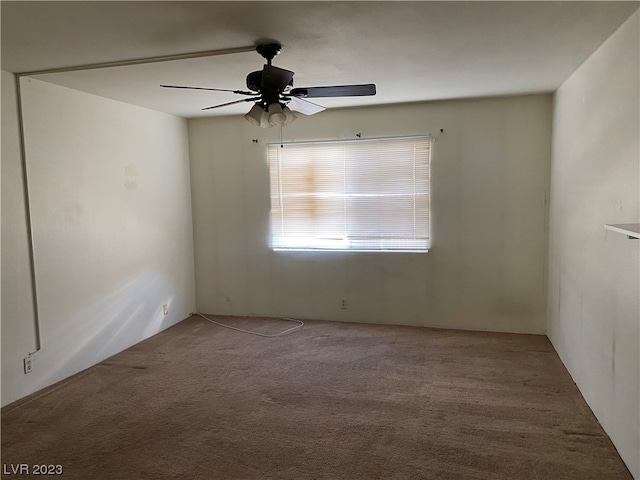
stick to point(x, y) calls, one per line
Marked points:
point(412, 51)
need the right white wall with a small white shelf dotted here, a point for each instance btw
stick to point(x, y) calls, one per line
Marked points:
point(594, 274)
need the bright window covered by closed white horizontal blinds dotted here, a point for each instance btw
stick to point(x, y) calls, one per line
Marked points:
point(355, 195)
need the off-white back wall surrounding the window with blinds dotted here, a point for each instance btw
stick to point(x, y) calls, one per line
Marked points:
point(486, 269)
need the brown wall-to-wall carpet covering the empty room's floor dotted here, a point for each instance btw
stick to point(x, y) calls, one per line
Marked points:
point(329, 401)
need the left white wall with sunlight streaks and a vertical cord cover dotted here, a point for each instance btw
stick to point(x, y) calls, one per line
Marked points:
point(111, 215)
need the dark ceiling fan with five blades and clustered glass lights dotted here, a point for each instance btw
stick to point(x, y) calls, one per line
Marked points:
point(275, 99)
